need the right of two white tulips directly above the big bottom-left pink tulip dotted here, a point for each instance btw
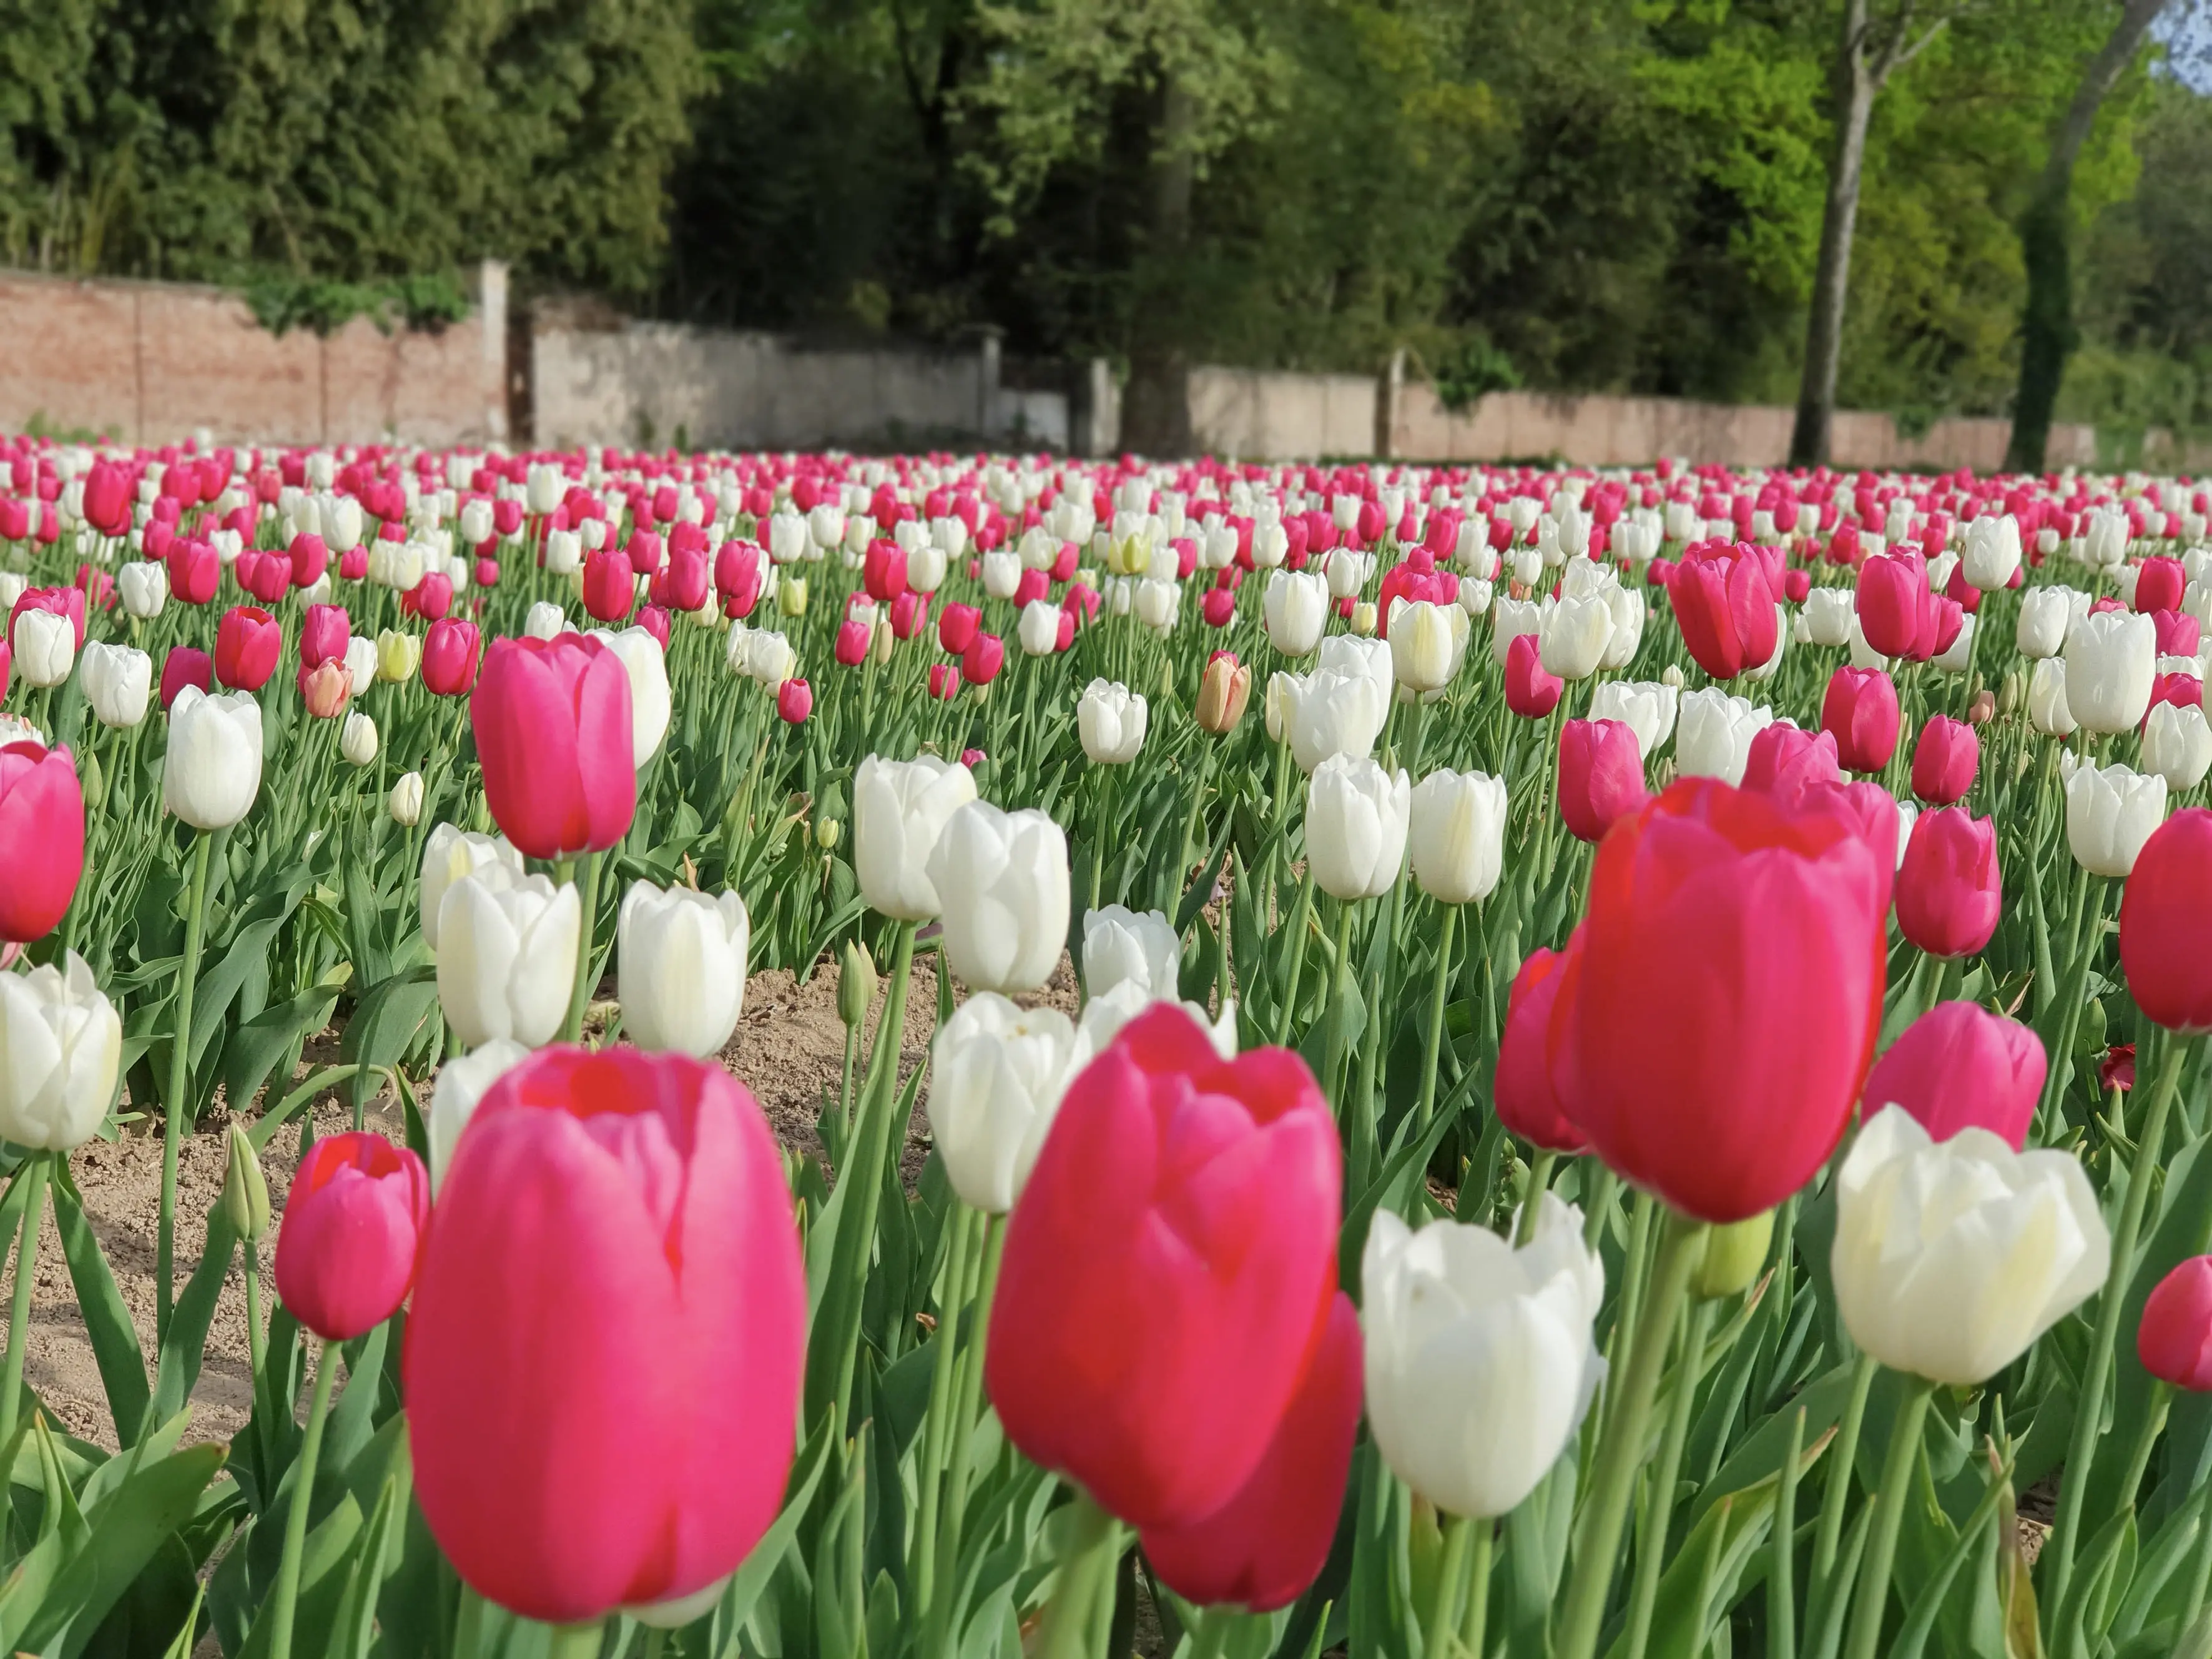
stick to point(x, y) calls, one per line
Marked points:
point(682, 959)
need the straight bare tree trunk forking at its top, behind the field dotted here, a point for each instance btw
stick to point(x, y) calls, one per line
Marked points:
point(1870, 50)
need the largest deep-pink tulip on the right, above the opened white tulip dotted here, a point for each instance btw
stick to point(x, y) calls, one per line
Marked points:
point(1720, 1014)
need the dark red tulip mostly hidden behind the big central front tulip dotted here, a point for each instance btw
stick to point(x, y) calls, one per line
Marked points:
point(1269, 1543)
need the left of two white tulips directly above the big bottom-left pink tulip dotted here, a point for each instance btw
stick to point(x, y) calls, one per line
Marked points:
point(508, 957)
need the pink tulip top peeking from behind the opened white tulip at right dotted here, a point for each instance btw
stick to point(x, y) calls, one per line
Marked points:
point(1963, 1067)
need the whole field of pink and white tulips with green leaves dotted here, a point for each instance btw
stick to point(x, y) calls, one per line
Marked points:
point(1525, 1063)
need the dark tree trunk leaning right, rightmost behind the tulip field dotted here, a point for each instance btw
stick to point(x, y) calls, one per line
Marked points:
point(2047, 333)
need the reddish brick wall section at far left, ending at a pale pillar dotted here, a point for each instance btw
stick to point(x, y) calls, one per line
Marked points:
point(158, 362)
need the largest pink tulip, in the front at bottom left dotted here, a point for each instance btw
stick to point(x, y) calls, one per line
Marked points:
point(605, 1350)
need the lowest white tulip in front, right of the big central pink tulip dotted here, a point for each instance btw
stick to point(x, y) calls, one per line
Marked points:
point(1481, 1357)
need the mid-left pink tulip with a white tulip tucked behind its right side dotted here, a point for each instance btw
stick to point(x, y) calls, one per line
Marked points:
point(552, 724)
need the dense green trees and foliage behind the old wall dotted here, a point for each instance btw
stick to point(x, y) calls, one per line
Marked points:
point(1558, 194)
